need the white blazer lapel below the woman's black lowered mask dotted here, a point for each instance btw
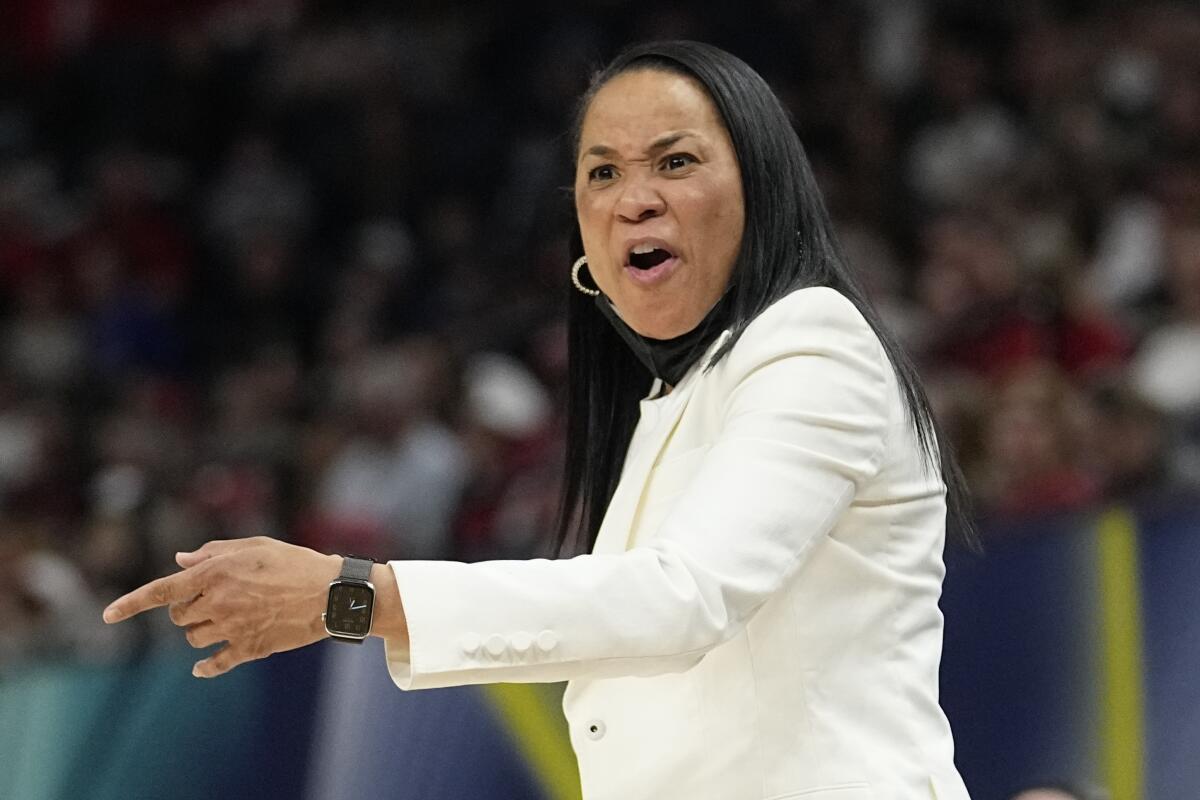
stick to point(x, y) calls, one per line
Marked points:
point(644, 454)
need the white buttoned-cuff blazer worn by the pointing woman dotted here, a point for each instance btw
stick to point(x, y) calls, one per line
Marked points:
point(759, 618)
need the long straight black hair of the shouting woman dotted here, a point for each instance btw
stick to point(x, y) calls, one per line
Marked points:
point(788, 244)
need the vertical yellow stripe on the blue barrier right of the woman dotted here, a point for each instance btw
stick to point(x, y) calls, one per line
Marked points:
point(1123, 733)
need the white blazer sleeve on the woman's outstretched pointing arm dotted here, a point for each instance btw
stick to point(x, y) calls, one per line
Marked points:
point(803, 425)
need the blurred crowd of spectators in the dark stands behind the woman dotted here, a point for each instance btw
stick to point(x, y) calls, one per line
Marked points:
point(298, 268)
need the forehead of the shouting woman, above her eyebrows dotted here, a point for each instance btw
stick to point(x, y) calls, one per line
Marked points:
point(638, 107)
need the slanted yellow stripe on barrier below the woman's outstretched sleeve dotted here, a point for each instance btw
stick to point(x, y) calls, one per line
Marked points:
point(533, 717)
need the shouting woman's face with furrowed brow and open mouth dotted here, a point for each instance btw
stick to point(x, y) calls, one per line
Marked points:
point(658, 194)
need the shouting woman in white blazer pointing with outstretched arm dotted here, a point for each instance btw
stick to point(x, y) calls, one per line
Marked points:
point(757, 615)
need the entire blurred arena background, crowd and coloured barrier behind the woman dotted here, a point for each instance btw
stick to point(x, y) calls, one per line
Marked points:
point(298, 269)
